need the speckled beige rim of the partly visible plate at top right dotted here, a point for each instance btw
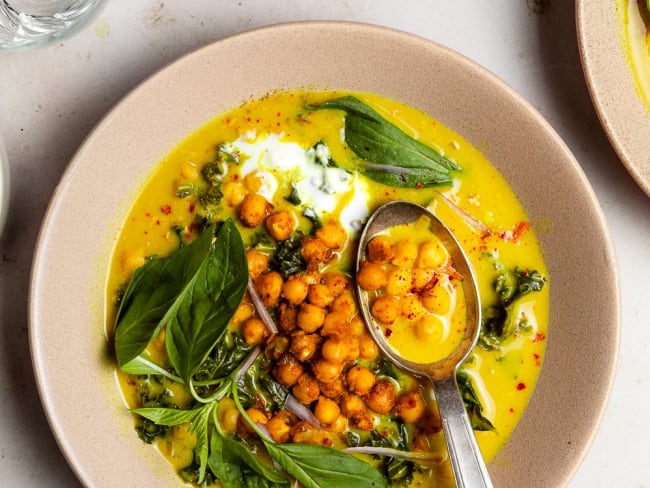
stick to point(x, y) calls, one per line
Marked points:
point(610, 79)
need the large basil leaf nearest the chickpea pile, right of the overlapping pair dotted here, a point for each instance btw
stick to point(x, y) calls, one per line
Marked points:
point(199, 316)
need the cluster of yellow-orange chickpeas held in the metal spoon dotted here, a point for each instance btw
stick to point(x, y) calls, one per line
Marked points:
point(407, 282)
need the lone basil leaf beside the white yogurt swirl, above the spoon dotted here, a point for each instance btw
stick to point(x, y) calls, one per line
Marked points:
point(390, 156)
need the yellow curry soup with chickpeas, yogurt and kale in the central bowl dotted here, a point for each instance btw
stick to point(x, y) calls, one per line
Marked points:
point(277, 172)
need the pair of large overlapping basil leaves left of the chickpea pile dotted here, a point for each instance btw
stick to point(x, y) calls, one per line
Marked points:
point(193, 292)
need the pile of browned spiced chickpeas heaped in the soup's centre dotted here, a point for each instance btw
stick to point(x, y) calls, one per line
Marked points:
point(322, 353)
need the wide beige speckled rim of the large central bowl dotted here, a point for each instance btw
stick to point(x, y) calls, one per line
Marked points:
point(74, 372)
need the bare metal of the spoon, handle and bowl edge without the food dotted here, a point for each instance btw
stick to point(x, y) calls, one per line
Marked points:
point(466, 459)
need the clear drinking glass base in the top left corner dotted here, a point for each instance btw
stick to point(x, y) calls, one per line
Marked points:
point(31, 23)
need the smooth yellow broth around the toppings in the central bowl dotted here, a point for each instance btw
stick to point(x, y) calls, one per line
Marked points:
point(503, 379)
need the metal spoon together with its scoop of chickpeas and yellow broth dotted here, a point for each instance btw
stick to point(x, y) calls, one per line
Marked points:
point(404, 254)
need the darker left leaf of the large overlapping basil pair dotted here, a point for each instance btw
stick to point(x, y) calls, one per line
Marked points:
point(152, 290)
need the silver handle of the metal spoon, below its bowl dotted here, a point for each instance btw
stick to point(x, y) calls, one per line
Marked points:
point(466, 459)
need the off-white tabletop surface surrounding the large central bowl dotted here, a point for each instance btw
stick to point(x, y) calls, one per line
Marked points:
point(51, 98)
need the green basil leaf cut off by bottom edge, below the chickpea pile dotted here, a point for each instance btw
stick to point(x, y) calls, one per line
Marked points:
point(322, 467)
